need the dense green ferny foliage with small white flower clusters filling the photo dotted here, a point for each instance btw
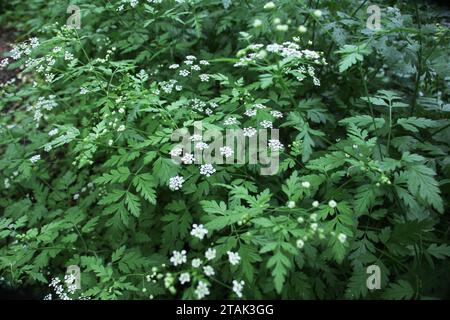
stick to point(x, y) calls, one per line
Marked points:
point(87, 177)
